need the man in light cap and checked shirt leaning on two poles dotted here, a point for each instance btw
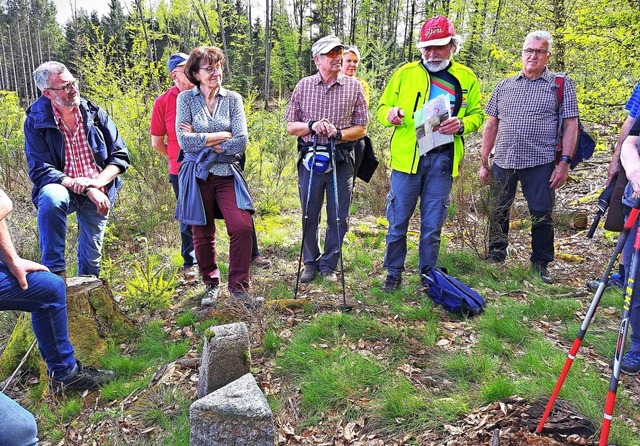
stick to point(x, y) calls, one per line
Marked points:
point(327, 104)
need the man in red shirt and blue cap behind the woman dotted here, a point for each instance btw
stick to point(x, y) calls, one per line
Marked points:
point(165, 142)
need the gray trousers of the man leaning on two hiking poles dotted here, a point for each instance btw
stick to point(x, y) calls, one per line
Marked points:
point(321, 183)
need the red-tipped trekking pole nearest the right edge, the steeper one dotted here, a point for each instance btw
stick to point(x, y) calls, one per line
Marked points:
point(622, 337)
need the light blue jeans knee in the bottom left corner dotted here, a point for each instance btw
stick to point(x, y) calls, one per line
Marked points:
point(17, 425)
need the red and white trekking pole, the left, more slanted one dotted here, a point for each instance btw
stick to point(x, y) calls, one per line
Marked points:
point(624, 235)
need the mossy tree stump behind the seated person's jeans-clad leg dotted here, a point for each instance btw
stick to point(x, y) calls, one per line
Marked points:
point(95, 320)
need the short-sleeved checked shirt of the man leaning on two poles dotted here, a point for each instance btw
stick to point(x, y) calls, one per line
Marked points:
point(343, 103)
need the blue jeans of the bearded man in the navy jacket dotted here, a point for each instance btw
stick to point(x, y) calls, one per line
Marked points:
point(55, 203)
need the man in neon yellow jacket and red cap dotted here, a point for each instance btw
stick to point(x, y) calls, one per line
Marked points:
point(428, 176)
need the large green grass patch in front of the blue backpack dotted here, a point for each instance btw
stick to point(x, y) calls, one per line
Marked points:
point(510, 356)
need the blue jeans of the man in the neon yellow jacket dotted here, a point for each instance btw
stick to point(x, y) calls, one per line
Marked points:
point(432, 184)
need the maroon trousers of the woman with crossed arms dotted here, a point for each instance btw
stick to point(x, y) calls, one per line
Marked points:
point(220, 190)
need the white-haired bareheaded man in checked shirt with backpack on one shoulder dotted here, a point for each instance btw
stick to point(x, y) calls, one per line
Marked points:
point(522, 124)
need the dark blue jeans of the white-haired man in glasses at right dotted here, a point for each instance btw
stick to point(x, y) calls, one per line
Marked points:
point(540, 200)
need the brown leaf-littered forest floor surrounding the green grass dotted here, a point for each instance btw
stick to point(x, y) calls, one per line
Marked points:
point(509, 421)
